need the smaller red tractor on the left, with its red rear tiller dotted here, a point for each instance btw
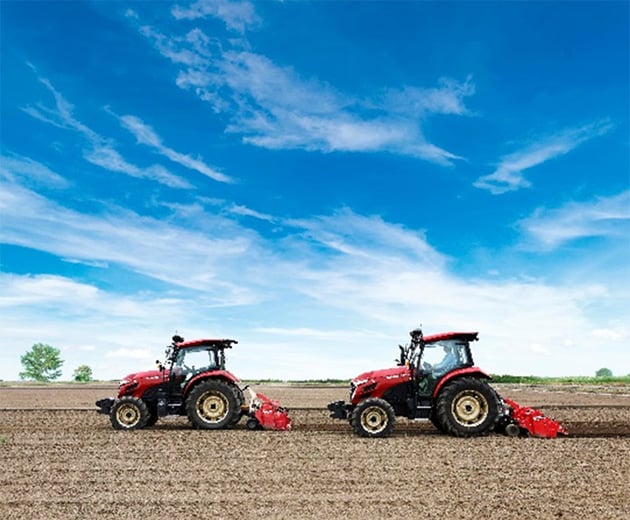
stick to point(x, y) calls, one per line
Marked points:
point(193, 381)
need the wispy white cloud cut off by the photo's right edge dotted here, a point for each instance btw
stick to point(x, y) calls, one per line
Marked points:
point(602, 217)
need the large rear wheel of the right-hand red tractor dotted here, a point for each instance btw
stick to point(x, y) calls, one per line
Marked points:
point(467, 407)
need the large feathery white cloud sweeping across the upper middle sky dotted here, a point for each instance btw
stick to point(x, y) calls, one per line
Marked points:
point(273, 107)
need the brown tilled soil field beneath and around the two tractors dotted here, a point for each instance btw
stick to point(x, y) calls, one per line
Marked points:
point(61, 460)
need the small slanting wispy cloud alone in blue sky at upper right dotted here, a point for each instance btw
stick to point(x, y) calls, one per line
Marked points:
point(509, 175)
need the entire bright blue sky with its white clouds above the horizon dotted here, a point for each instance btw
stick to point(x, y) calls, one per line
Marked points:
point(315, 179)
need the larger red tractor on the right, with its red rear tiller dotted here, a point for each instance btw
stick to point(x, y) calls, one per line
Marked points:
point(436, 380)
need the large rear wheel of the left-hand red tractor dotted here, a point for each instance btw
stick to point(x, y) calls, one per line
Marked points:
point(211, 405)
